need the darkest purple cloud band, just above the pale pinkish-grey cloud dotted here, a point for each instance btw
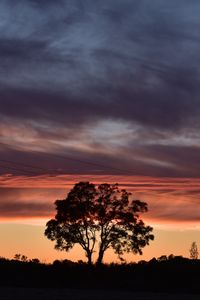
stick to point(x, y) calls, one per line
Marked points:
point(137, 107)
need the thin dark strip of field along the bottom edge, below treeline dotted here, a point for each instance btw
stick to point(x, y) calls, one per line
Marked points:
point(61, 294)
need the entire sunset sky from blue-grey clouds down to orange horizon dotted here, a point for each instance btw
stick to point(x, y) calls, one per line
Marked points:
point(105, 91)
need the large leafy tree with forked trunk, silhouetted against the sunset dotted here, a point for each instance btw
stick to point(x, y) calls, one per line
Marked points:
point(103, 216)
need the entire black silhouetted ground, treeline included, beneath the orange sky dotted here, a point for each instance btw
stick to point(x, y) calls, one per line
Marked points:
point(171, 279)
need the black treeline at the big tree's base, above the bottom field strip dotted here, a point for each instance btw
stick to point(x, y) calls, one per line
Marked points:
point(171, 274)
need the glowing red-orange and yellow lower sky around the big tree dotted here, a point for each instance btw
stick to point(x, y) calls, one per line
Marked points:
point(173, 232)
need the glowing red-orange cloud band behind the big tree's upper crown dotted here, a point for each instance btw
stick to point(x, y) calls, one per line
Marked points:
point(170, 201)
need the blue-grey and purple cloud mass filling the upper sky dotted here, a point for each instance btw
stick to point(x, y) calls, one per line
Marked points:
point(118, 60)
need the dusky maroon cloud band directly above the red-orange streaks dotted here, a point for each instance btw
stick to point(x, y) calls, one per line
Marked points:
point(160, 161)
